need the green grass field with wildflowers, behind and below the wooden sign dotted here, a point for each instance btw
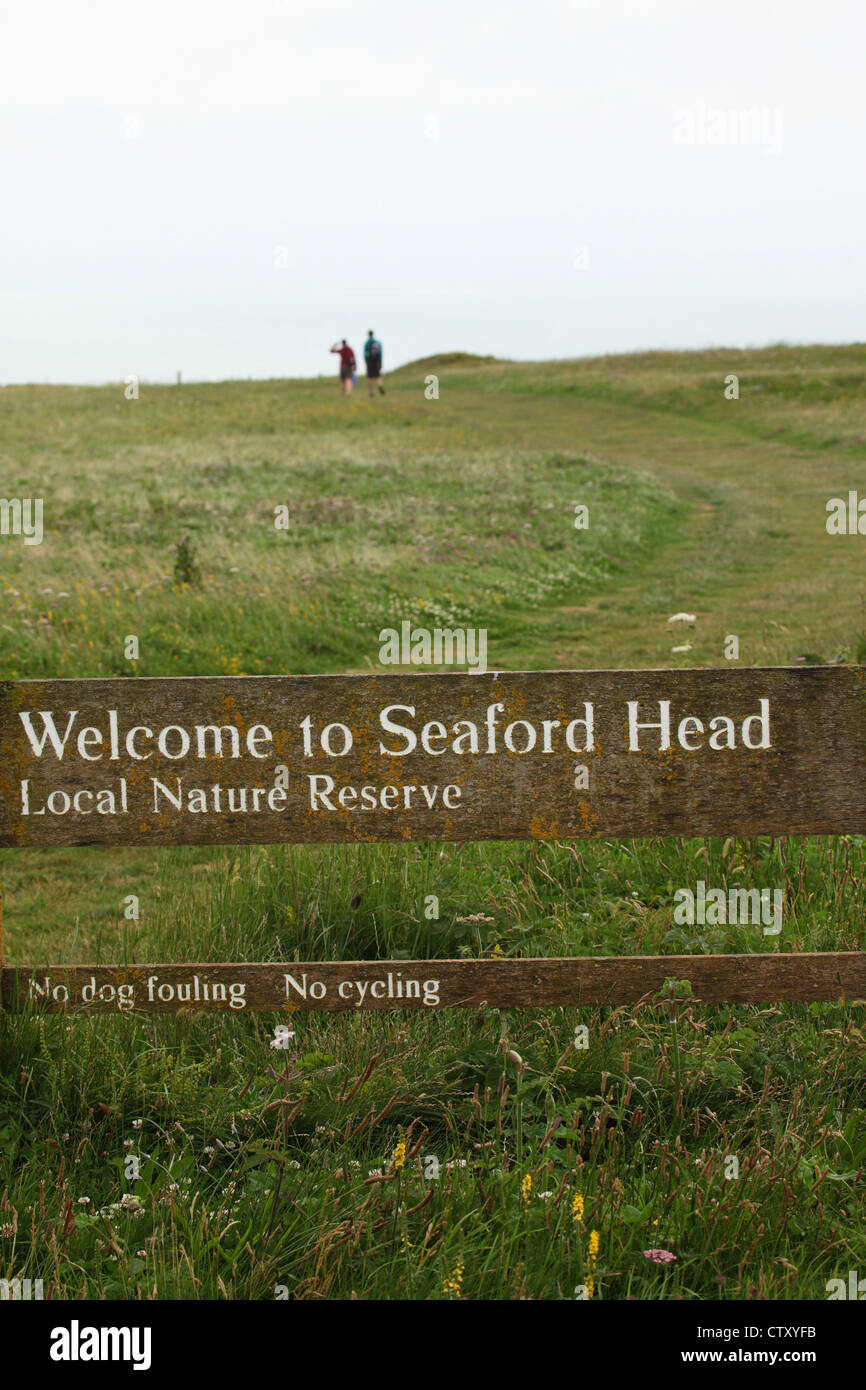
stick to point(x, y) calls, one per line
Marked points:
point(458, 1156)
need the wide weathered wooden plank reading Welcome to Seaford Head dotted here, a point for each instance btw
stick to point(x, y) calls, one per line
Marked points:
point(198, 761)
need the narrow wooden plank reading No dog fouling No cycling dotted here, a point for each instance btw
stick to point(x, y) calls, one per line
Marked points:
point(433, 985)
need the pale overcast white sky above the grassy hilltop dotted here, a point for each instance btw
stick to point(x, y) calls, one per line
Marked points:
point(533, 180)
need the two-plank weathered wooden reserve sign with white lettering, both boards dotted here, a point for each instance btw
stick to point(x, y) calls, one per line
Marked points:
point(541, 755)
